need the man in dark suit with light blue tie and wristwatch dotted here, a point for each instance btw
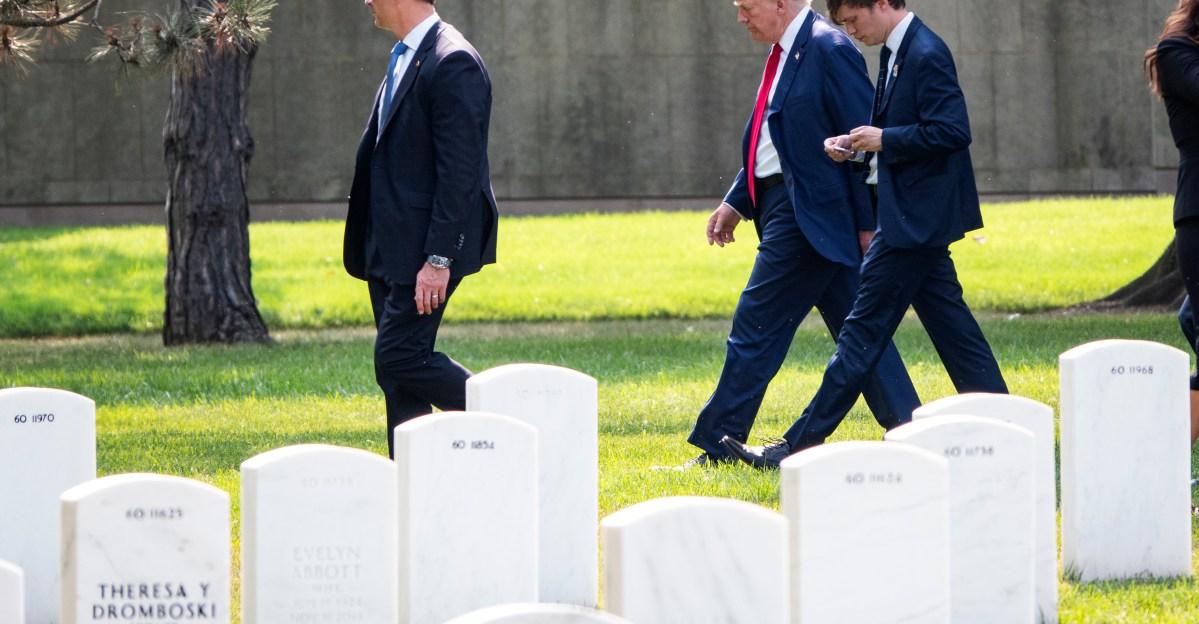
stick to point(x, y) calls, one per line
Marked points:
point(421, 211)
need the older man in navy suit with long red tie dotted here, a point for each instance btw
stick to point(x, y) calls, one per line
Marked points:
point(814, 220)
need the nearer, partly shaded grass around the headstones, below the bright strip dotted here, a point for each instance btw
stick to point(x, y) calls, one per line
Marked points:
point(200, 412)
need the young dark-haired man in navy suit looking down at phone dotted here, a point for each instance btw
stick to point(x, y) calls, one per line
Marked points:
point(919, 164)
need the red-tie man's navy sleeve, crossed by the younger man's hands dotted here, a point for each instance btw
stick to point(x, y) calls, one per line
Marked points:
point(849, 97)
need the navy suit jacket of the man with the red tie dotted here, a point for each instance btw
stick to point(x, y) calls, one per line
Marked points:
point(823, 92)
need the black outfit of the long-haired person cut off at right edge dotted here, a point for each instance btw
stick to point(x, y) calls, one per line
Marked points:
point(1178, 75)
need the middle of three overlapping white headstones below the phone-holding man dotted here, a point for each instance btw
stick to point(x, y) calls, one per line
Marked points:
point(992, 495)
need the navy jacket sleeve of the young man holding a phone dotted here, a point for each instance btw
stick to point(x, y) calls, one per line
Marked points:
point(944, 125)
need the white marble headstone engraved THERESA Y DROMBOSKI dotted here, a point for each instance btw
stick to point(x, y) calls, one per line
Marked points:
point(148, 549)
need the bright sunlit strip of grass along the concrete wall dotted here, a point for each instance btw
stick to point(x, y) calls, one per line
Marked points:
point(1032, 256)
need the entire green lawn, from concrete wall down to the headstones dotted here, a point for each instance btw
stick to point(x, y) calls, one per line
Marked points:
point(644, 310)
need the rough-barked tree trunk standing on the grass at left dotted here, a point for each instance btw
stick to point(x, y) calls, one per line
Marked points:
point(208, 153)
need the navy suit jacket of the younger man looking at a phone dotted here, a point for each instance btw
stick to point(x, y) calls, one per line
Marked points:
point(927, 194)
